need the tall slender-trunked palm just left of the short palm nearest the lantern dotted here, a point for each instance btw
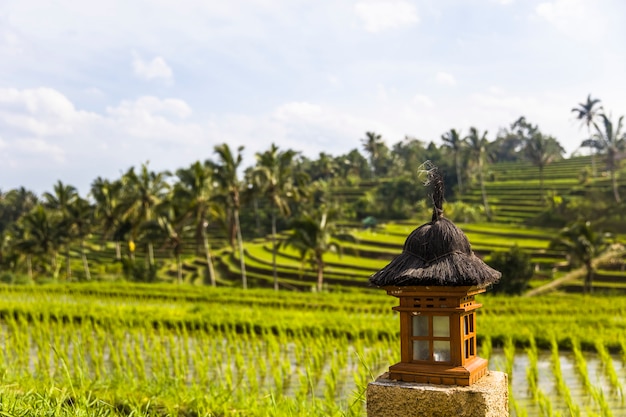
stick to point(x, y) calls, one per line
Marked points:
point(275, 177)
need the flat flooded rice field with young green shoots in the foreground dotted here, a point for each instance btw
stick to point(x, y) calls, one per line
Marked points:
point(156, 350)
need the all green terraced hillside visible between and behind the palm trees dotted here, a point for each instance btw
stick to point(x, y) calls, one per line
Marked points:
point(514, 196)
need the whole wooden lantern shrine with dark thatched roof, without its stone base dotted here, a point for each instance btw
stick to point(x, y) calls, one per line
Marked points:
point(435, 279)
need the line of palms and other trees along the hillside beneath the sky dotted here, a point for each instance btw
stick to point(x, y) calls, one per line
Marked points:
point(218, 200)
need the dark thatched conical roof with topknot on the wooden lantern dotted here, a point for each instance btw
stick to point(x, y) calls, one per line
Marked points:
point(436, 253)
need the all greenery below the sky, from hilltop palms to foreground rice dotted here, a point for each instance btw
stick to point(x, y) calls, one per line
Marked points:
point(114, 347)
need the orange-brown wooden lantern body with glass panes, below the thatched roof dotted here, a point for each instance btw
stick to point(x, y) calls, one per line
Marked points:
point(447, 359)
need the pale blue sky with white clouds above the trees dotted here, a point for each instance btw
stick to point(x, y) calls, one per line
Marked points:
point(91, 88)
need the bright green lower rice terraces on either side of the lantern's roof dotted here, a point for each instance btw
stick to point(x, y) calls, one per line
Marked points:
point(370, 250)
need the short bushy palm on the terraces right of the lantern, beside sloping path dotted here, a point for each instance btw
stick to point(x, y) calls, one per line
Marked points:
point(582, 245)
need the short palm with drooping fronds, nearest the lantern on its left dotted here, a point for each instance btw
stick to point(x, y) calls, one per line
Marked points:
point(312, 236)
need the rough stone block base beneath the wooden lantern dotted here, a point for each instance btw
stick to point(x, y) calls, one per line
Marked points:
point(488, 397)
